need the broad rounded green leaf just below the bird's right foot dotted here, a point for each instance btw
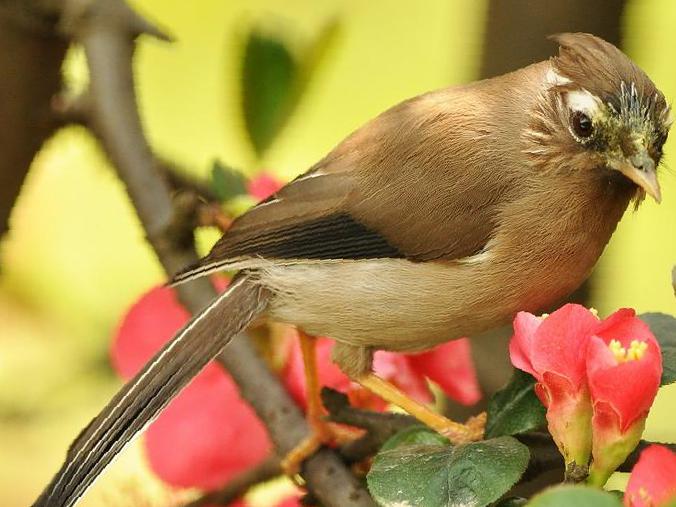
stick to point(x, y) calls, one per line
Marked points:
point(470, 475)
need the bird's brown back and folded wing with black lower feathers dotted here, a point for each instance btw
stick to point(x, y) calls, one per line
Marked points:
point(401, 187)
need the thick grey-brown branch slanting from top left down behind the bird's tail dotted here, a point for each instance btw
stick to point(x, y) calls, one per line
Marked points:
point(107, 30)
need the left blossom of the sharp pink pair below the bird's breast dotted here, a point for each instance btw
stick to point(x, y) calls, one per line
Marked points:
point(554, 350)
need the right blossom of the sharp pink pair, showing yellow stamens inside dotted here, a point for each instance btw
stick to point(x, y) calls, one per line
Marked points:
point(624, 366)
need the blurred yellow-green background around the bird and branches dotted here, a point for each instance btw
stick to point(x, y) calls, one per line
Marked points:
point(308, 73)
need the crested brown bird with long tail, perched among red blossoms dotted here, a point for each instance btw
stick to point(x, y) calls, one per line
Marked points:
point(440, 218)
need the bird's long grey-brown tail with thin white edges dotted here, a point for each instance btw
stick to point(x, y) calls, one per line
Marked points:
point(144, 397)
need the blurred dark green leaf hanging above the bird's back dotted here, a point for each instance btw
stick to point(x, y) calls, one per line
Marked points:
point(269, 74)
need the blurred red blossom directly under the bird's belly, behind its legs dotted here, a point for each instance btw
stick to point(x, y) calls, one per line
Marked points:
point(449, 365)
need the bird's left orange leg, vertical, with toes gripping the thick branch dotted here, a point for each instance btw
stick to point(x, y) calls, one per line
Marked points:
point(322, 431)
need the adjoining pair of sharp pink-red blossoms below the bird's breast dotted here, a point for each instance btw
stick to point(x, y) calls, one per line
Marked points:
point(597, 379)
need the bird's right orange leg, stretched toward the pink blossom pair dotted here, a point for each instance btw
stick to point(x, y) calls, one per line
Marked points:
point(456, 432)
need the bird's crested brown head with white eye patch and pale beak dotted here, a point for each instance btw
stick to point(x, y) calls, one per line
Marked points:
point(599, 112)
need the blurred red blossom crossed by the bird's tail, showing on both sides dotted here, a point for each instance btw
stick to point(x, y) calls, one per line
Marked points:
point(207, 434)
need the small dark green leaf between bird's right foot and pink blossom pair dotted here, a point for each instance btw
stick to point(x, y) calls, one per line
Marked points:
point(515, 408)
